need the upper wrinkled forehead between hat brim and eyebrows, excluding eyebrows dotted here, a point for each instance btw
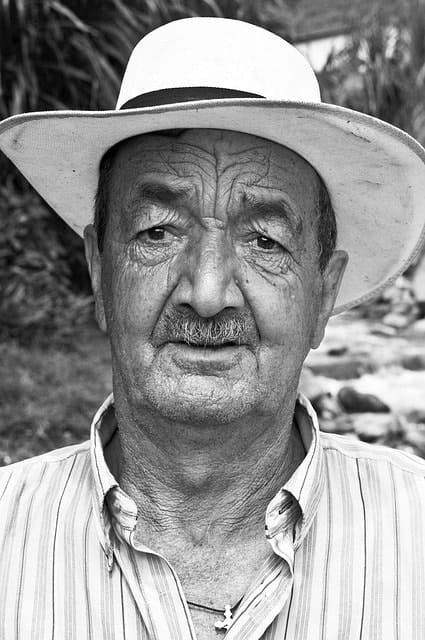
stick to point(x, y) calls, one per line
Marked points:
point(220, 158)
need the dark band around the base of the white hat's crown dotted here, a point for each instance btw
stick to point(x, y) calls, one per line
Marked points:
point(184, 94)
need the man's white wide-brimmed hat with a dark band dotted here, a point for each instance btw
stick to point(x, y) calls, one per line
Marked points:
point(216, 73)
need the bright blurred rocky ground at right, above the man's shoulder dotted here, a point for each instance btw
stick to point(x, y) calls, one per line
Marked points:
point(368, 357)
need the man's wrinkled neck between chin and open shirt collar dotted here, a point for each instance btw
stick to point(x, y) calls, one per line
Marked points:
point(205, 481)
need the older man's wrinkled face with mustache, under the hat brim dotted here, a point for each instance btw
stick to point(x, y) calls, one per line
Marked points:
point(209, 283)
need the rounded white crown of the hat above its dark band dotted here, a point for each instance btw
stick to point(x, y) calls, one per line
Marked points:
point(218, 53)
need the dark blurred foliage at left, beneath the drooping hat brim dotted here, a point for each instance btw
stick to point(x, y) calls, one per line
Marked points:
point(39, 296)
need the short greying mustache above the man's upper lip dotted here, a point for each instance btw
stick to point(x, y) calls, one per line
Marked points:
point(236, 327)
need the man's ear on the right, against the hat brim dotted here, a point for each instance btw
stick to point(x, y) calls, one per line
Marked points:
point(331, 281)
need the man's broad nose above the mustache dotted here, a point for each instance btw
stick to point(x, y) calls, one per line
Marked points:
point(208, 281)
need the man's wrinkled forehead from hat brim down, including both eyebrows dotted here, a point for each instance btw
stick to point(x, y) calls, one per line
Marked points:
point(216, 172)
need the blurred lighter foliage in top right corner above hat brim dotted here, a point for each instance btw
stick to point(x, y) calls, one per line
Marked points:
point(381, 70)
